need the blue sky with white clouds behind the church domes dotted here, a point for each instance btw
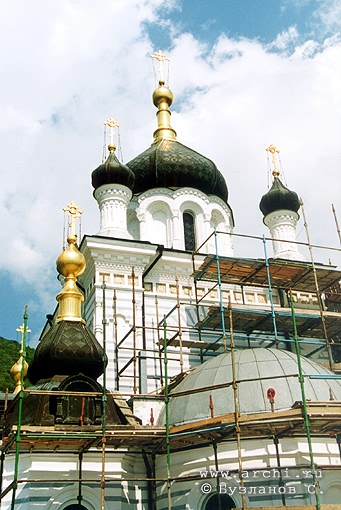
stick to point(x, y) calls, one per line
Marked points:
point(244, 73)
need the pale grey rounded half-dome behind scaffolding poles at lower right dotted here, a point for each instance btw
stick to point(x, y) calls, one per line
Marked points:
point(250, 364)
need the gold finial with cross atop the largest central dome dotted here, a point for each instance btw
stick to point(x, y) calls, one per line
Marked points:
point(162, 99)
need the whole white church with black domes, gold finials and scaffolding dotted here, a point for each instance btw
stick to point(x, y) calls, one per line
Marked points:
point(174, 374)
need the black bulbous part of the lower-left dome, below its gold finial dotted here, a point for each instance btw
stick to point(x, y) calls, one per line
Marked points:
point(68, 348)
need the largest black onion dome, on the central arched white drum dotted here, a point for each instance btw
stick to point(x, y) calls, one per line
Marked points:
point(169, 164)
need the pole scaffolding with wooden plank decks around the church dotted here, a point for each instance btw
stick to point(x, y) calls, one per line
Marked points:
point(220, 324)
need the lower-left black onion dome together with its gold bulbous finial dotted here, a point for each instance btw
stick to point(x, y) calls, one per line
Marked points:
point(69, 347)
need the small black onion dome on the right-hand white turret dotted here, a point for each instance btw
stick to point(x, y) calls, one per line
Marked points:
point(279, 197)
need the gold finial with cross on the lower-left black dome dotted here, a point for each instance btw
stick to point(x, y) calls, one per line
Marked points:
point(70, 264)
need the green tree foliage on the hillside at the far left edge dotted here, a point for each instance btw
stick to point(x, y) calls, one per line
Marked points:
point(9, 354)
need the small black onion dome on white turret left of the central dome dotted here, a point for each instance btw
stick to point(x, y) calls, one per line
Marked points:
point(112, 171)
